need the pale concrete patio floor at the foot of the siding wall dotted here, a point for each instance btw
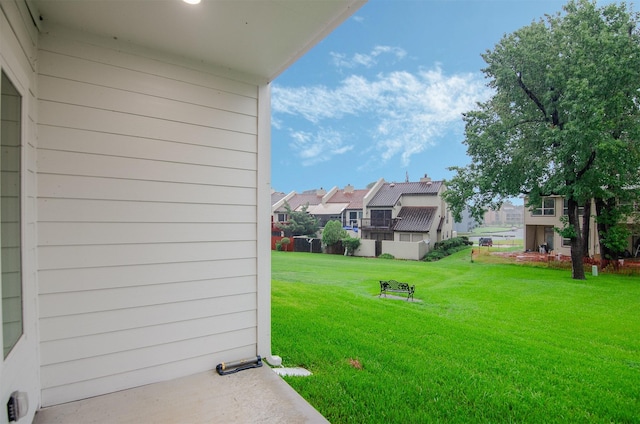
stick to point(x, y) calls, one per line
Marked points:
point(256, 395)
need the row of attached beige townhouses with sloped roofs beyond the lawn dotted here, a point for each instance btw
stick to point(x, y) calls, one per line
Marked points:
point(394, 213)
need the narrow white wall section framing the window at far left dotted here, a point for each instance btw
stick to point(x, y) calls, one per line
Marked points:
point(18, 50)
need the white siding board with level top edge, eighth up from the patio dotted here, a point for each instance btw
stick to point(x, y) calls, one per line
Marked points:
point(68, 233)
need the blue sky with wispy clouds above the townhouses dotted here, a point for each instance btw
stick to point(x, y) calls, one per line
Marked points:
point(382, 96)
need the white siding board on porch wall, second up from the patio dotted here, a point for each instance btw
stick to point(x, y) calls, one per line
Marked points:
point(121, 362)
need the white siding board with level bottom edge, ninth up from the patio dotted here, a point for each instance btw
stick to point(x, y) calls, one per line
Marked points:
point(81, 210)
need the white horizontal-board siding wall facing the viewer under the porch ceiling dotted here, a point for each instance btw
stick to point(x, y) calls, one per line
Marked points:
point(147, 218)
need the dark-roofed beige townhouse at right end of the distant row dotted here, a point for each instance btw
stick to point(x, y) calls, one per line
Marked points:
point(407, 212)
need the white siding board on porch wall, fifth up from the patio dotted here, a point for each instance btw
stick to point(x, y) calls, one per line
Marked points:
point(82, 302)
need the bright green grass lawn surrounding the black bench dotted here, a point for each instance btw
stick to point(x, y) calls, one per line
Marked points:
point(487, 343)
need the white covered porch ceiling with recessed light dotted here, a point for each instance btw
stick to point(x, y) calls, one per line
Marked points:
point(256, 37)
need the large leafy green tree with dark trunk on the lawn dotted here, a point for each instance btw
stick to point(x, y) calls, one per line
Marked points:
point(563, 119)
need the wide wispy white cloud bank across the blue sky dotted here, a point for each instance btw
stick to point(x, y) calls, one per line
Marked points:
point(399, 113)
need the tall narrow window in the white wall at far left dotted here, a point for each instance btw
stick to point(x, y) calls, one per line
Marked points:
point(10, 219)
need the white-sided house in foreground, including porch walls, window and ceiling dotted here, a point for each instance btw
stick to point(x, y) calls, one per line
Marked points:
point(135, 187)
